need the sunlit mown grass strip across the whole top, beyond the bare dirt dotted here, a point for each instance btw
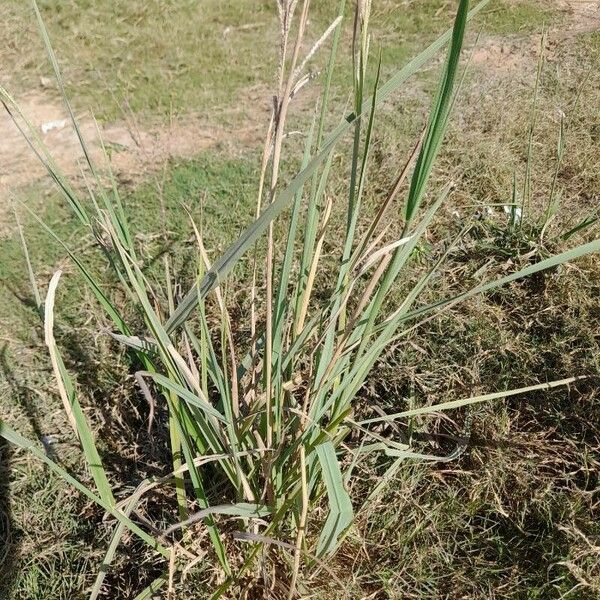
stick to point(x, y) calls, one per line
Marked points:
point(121, 57)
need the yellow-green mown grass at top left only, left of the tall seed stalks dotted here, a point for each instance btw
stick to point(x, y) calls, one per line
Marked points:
point(125, 53)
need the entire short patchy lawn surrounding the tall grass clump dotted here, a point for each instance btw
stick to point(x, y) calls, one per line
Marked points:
point(515, 515)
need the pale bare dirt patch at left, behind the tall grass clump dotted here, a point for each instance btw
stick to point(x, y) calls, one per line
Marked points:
point(134, 151)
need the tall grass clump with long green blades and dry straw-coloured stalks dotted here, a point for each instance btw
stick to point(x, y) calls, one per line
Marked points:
point(263, 420)
